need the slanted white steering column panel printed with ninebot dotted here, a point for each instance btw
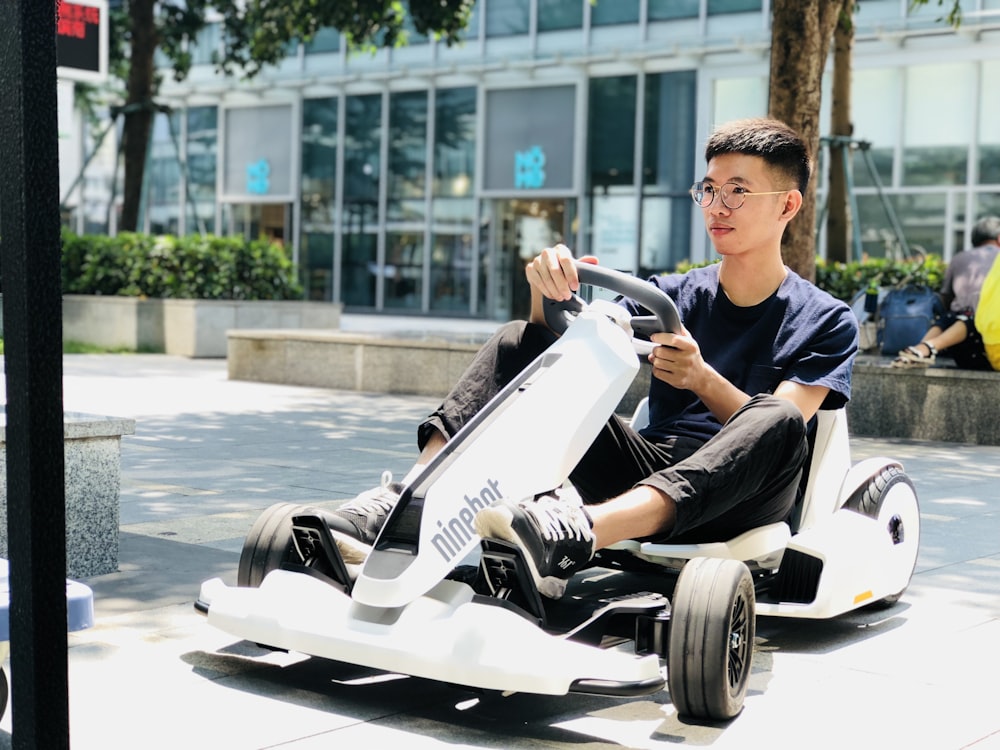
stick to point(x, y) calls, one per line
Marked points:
point(522, 453)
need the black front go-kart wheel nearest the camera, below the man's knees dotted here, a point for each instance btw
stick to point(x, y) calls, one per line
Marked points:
point(712, 628)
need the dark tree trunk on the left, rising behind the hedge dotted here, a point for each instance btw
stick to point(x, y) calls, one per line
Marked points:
point(138, 109)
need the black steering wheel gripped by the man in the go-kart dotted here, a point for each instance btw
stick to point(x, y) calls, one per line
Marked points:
point(560, 313)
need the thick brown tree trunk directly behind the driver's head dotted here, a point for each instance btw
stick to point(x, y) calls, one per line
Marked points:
point(801, 33)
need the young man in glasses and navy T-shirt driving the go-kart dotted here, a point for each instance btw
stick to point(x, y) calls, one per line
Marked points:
point(730, 398)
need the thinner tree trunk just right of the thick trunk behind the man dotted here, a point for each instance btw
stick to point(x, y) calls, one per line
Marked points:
point(838, 227)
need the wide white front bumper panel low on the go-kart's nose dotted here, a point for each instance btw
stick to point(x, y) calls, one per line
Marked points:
point(443, 635)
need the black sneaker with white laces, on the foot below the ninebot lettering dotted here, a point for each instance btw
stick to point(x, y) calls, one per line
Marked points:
point(555, 534)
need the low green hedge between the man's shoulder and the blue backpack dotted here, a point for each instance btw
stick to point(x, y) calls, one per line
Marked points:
point(844, 280)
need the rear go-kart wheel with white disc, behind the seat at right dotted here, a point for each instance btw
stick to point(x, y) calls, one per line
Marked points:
point(890, 499)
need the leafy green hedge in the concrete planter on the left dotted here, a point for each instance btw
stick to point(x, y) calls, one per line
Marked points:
point(195, 267)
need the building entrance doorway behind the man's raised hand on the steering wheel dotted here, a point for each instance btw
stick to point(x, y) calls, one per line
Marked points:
point(520, 229)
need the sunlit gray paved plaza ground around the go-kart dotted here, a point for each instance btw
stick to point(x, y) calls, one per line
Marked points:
point(209, 454)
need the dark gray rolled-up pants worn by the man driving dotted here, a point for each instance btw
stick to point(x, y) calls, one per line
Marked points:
point(746, 476)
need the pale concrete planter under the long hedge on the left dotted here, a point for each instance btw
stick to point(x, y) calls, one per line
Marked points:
point(185, 327)
